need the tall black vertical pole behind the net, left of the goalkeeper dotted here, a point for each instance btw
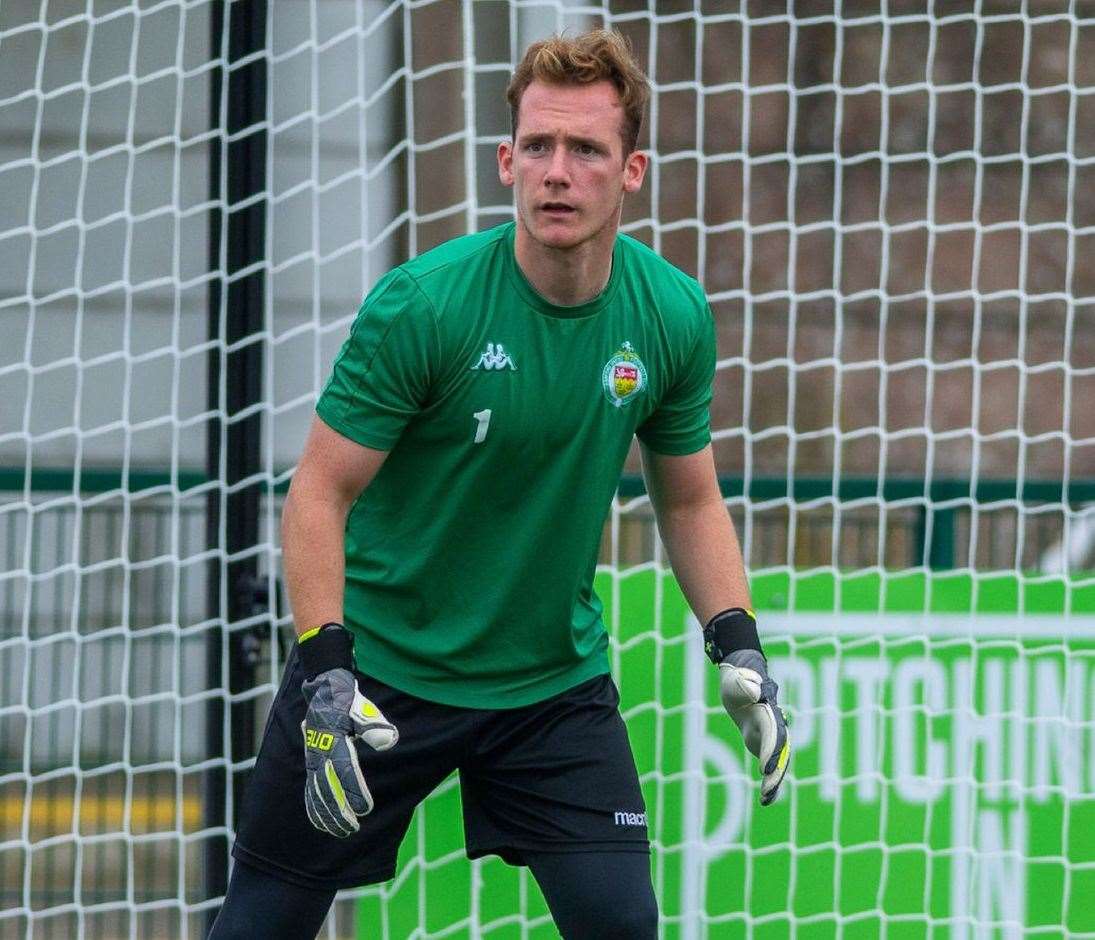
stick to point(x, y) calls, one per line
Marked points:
point(238, 174)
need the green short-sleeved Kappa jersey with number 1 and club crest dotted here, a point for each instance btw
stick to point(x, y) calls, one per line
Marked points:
point(470, 558)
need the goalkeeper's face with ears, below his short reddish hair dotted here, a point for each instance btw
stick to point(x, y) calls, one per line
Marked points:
point(568, 164)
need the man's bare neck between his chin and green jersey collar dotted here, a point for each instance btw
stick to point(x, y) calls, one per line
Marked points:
point(567, 278)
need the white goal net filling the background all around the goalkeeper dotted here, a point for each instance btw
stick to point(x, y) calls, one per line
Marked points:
point(893, 213)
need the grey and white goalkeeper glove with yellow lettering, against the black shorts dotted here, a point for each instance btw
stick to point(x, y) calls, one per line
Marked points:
point(336, 794)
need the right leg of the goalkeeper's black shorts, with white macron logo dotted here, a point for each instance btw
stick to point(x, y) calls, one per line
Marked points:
point(557, 776)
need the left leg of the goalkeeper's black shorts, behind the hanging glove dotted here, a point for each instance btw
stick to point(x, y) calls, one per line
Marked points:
point(275, 834)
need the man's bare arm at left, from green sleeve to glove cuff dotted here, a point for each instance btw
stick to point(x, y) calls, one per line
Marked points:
point(332, 473)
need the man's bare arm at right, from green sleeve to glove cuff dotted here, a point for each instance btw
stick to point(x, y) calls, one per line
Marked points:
point(697, 531)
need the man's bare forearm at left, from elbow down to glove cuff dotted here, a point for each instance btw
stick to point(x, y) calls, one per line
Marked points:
point(314, 559)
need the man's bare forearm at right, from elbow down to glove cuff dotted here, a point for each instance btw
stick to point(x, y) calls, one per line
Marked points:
point(706, 556)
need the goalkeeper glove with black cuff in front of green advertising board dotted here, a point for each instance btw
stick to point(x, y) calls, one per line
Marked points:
point(750, 694)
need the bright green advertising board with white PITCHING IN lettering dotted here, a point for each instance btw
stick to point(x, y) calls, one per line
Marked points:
point(943, 781)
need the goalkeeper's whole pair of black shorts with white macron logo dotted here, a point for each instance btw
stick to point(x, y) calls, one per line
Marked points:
point(555, 776)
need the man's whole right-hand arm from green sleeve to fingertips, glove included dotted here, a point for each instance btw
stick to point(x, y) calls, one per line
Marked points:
point(707, 559)
